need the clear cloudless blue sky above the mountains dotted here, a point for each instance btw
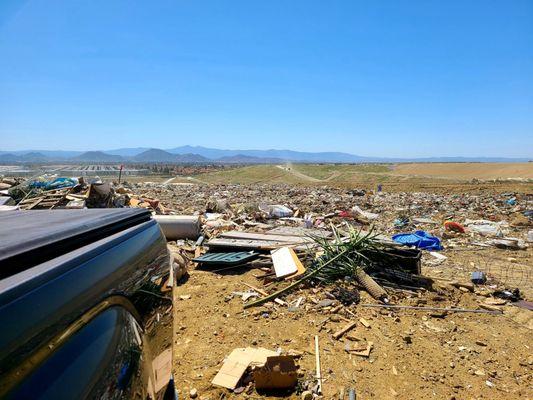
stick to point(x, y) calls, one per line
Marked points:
point(376, 78)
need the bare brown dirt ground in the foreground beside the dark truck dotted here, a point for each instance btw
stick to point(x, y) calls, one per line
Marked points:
point(416, 355)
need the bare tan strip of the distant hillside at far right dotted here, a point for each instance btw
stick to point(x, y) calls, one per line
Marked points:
point(468, 170)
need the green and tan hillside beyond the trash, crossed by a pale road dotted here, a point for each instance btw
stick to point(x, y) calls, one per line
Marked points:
point(401, 177)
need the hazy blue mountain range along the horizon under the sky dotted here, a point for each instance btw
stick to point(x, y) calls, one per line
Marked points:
point(198, 155)
